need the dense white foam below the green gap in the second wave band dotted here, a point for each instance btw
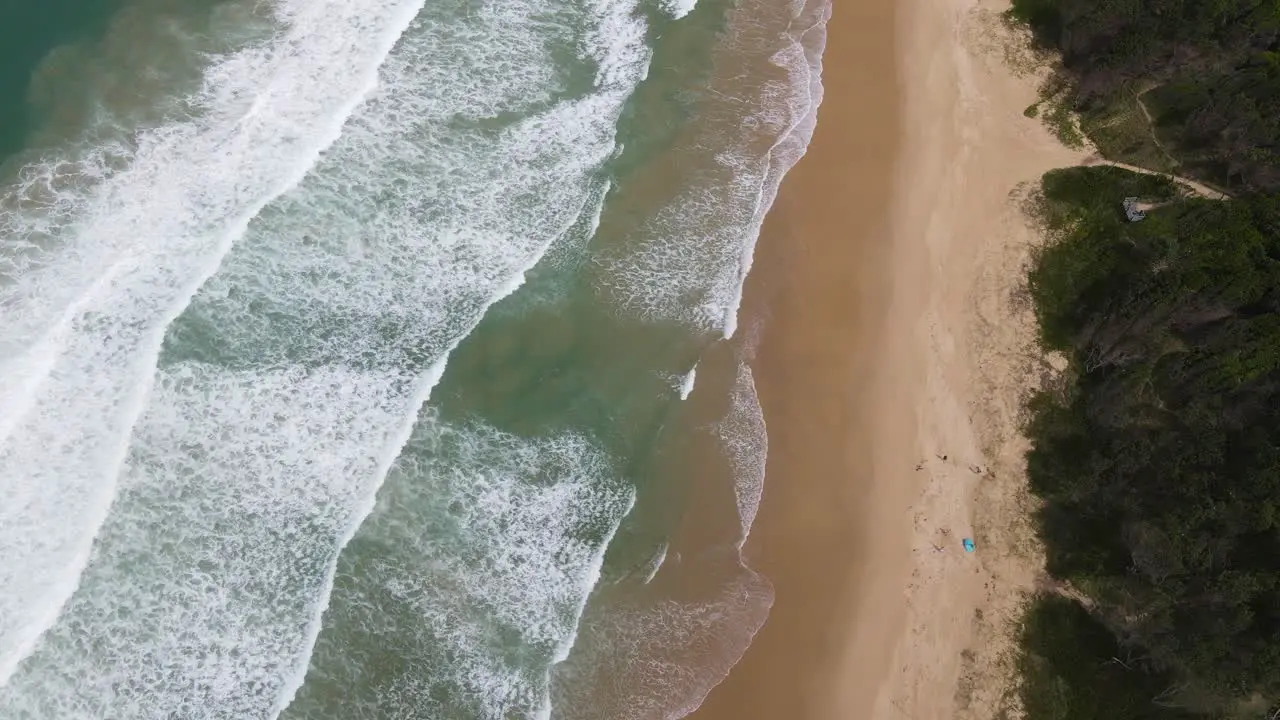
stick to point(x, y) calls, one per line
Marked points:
point(164, 623)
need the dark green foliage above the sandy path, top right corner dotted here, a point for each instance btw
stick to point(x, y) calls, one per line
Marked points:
point(1213, 69)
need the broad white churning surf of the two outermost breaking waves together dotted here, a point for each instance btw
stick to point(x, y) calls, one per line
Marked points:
point(331, 290)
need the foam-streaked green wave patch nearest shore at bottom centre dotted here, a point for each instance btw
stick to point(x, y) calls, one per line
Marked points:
point(468, 581)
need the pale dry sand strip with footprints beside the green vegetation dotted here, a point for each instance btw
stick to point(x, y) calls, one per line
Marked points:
point(971, 162)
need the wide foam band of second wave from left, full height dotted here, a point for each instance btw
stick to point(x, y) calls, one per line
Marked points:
point(292, 380)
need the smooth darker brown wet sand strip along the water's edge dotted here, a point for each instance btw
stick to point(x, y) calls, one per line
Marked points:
point(821, 295)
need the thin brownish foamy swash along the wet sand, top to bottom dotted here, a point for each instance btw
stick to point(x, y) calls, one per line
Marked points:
point(688, 263)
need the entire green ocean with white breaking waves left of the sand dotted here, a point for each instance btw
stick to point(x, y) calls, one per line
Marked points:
point(382, 359)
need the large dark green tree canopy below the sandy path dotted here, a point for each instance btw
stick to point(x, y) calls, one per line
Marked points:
point(1159, 462)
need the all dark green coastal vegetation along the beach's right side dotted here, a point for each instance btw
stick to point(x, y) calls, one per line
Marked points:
point(1156, 455)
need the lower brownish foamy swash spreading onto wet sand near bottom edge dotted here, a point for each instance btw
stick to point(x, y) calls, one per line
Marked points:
point(676, 637)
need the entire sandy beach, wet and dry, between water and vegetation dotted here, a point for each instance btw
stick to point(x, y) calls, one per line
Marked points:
point(895, 353)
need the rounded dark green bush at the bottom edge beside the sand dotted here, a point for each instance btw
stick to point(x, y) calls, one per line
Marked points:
point(1073, 669)
